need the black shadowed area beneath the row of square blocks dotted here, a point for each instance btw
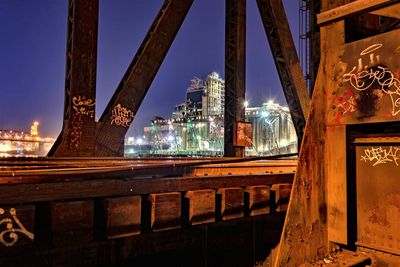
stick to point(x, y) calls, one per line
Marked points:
point(242, 242)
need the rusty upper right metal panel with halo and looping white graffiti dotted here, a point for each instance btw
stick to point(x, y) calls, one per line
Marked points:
point(368, 85)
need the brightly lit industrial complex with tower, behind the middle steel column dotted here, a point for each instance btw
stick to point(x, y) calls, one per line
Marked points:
point(196, 126)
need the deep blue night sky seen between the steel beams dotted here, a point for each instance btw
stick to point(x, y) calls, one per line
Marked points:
point(32, 57)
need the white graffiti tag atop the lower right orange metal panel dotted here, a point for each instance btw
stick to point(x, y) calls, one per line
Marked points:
point(379, 155)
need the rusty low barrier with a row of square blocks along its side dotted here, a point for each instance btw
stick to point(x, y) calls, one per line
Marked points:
point(84, 206)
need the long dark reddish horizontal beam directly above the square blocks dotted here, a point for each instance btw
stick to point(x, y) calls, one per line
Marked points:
point(36, 192)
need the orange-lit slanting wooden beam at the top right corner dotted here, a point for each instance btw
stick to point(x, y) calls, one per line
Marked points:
point(353, 8)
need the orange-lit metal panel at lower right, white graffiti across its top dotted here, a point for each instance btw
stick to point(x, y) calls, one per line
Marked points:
point(378, 196)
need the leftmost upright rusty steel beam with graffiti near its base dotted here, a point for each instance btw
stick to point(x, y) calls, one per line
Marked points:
point(79, 126)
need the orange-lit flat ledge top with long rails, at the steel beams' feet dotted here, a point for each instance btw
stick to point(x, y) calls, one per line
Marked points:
point(42, 169)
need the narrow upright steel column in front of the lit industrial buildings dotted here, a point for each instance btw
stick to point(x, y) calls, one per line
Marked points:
point(235, 72)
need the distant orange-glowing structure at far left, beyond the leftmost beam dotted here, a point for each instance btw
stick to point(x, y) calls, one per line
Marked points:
point(18, 143)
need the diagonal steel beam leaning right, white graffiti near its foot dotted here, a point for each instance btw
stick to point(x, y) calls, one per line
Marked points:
point(125, 102)
